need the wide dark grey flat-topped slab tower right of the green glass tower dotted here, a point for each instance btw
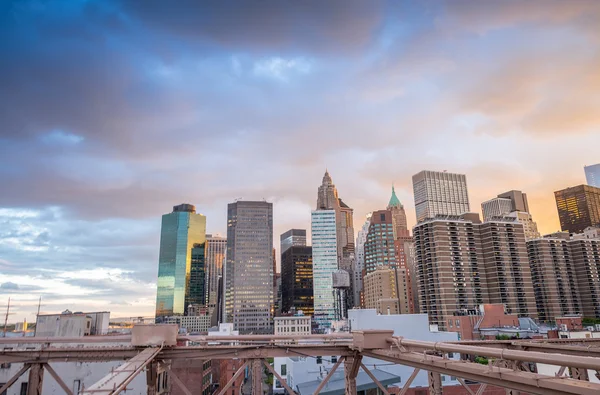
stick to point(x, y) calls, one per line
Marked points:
point(249, 266)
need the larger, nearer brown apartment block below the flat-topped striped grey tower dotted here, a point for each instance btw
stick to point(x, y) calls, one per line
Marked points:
point(462, 263)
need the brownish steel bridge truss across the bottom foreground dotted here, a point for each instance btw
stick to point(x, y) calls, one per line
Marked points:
point(509, 366)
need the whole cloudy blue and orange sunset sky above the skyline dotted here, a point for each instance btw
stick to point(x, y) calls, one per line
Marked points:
point(112, 112)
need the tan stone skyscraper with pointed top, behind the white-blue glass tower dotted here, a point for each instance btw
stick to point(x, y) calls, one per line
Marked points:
point(328, 199)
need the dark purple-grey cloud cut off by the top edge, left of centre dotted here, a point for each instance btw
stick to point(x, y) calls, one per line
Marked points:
point(327, 27)
